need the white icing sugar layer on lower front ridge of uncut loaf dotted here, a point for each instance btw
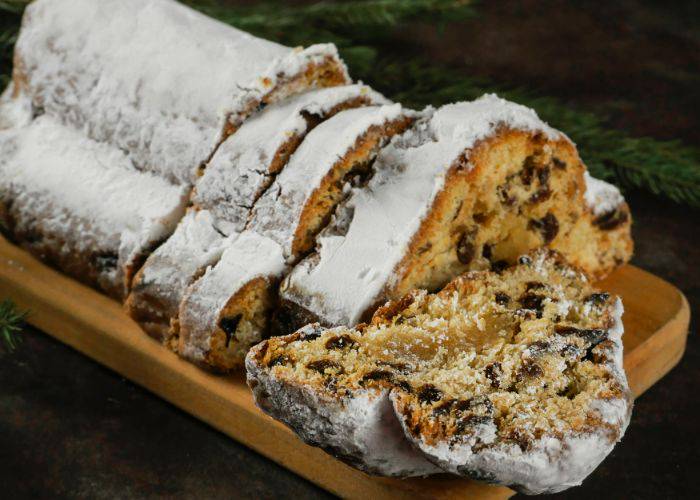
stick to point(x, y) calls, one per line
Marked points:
point(85, 193)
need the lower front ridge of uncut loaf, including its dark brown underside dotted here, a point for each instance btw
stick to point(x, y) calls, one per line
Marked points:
point(81, 205)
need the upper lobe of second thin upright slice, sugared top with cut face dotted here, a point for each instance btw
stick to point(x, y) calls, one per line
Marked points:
point(299, 202)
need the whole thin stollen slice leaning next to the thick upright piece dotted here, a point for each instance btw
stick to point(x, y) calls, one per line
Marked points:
point(226, 310)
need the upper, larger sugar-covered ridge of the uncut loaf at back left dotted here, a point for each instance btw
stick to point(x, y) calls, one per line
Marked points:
point(155, 78)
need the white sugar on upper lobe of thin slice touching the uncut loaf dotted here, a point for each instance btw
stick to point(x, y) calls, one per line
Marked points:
point(241, 168)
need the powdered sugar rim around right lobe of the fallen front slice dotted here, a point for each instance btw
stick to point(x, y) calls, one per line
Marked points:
point(550, 464)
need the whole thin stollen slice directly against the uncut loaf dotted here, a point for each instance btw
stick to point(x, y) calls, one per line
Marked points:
point(241, 170)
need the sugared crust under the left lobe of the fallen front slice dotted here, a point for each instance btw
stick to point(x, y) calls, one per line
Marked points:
point(362, 431)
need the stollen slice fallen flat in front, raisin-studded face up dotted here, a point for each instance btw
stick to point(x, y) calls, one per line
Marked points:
point(512, 377)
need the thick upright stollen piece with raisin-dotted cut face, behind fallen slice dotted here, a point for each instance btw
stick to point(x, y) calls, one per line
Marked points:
point(472, 186)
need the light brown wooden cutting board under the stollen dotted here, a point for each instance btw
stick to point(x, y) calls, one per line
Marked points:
point(656, 325)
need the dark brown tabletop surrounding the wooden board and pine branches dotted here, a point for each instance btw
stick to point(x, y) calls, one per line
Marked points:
point(71, 428)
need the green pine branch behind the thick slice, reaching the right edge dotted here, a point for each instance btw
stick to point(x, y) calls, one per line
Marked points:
point(666, 168)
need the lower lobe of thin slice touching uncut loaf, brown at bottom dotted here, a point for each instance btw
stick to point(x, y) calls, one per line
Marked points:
point(160, 284)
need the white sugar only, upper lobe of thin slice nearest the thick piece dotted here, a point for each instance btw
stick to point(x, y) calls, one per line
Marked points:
point(277, 212)
